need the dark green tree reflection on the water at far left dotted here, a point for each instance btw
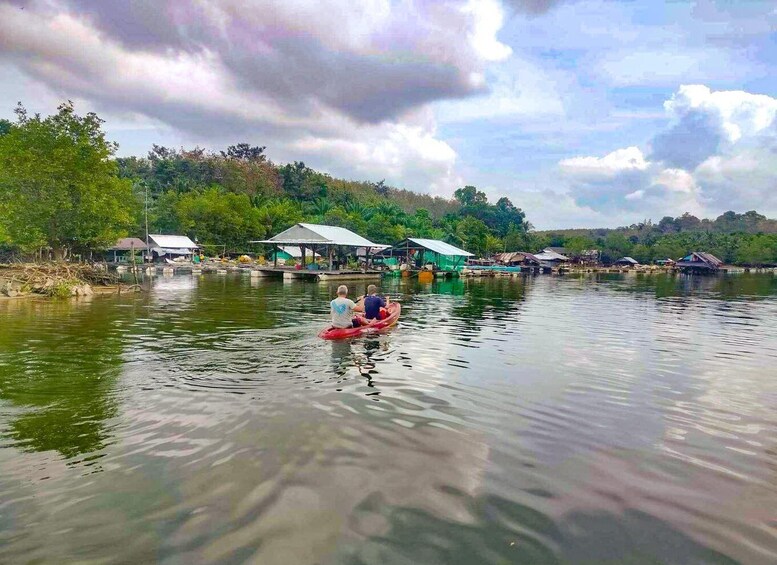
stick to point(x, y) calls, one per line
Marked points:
point(59, 362)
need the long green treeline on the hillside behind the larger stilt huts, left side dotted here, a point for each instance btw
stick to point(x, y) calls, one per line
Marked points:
point(61, 188)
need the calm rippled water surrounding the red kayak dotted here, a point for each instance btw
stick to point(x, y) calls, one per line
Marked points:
point(552, 419)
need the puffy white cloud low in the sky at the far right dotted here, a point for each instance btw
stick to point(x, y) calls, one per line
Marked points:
point(734, 137)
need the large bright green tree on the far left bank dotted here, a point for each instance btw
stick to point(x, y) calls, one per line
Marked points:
point(59, 186)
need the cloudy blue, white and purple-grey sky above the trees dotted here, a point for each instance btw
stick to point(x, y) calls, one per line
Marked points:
point(584, 113)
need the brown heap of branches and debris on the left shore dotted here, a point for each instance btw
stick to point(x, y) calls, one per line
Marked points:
point(54, 279)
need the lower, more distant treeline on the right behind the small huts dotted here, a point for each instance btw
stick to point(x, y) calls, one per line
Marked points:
point(748, 239)
